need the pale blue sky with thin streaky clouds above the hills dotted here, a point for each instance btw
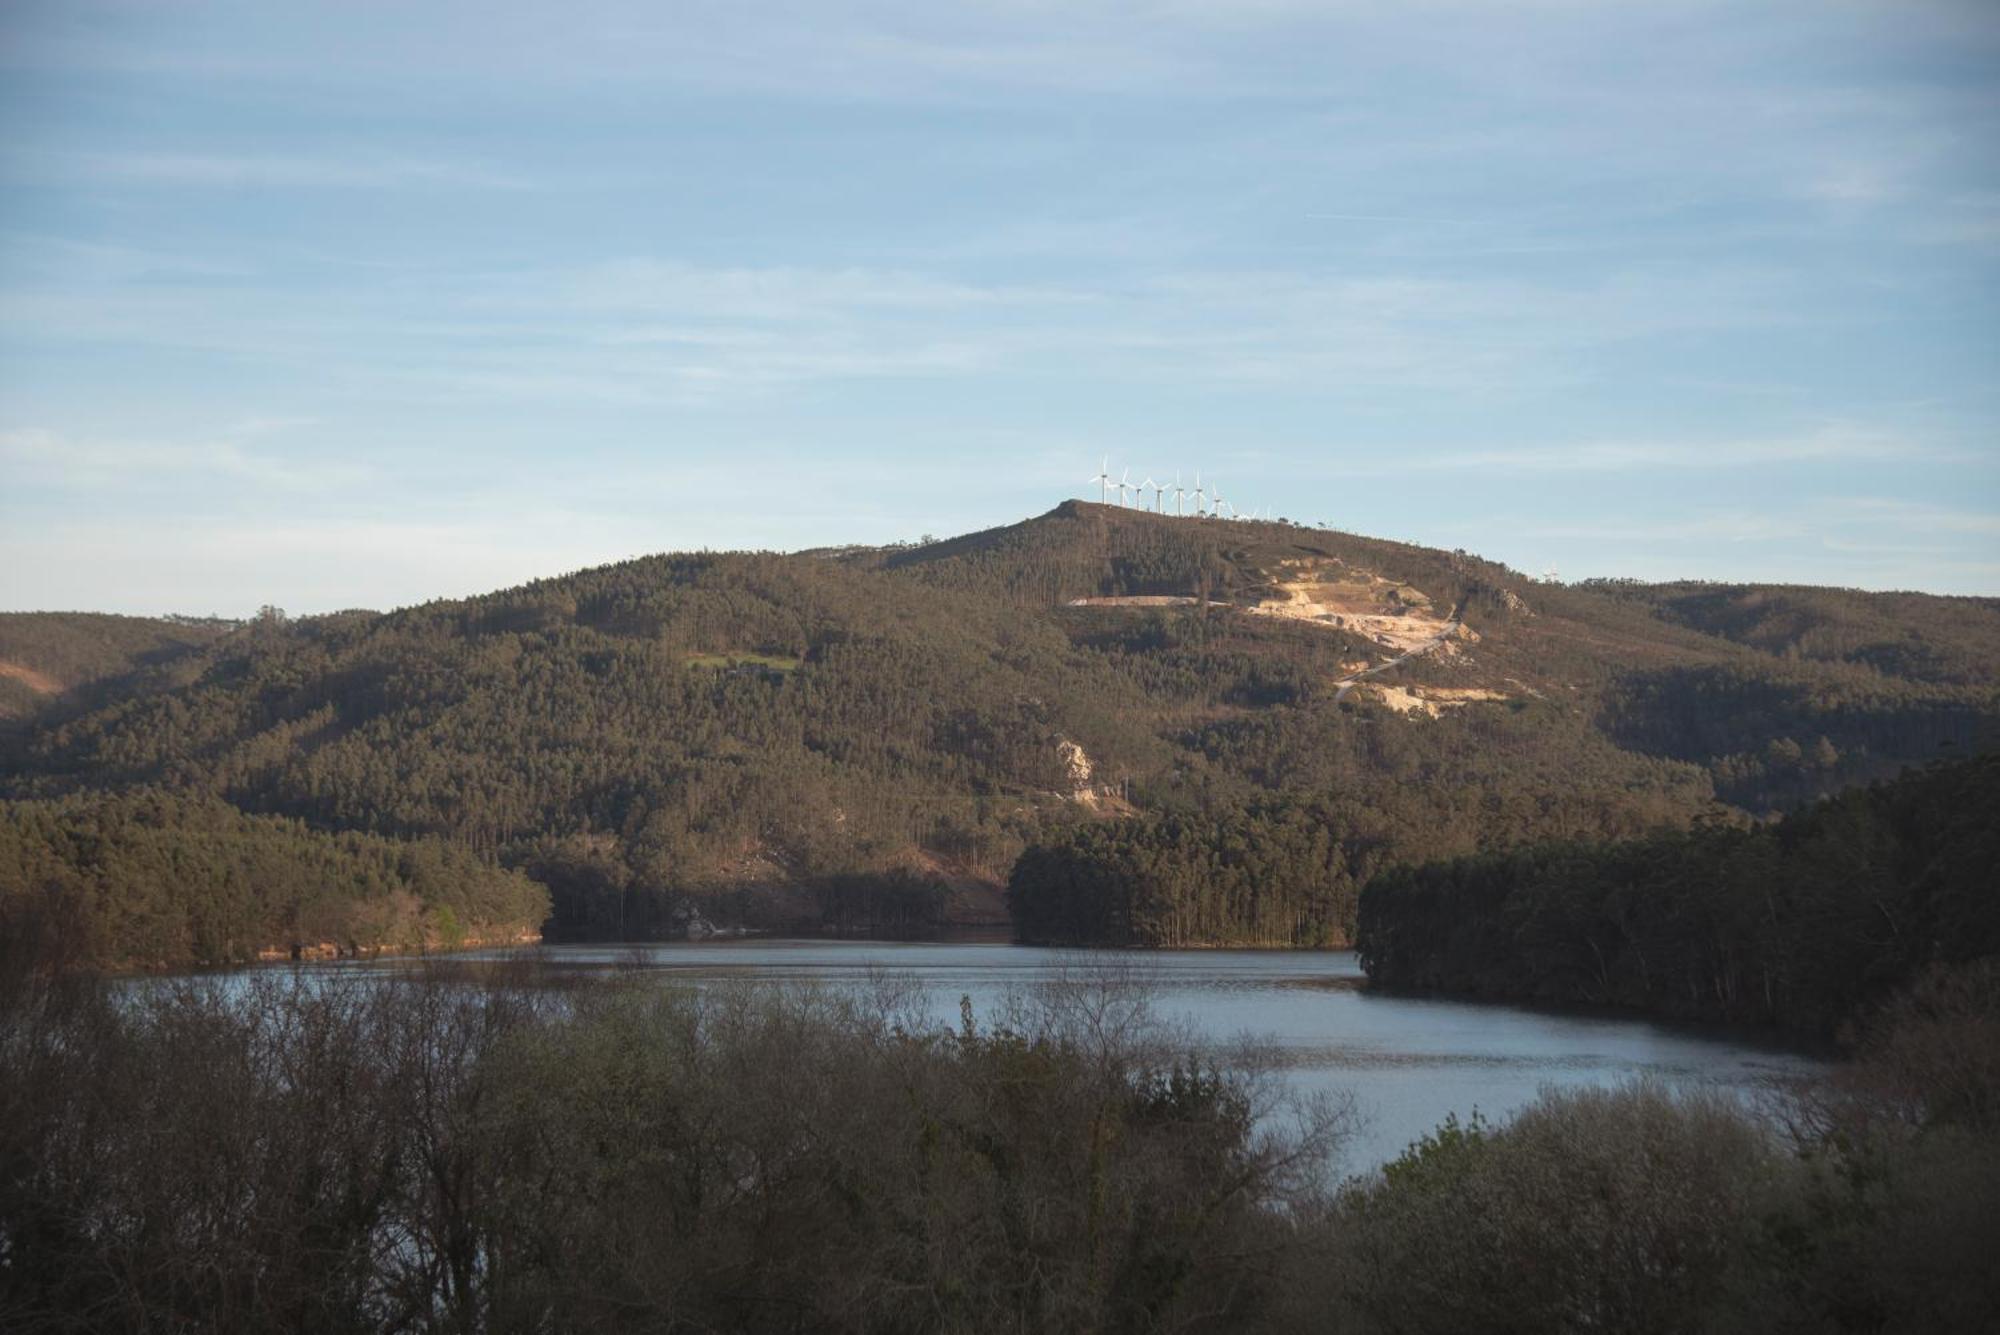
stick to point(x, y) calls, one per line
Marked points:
point(363, 305)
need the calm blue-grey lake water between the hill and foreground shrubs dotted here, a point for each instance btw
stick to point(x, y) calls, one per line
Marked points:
point(1407, 1060)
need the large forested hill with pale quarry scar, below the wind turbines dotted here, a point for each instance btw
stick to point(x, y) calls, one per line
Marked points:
point(729, 726)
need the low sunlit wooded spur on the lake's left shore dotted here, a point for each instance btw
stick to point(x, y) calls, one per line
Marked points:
point(175, 880)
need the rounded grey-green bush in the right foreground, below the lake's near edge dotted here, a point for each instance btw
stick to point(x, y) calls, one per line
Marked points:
point(1595, 1210)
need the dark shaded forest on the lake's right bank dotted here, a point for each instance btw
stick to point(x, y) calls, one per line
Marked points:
point(1797, 924)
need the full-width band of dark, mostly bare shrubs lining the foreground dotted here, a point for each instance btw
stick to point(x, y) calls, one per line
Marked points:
point(481, 1150)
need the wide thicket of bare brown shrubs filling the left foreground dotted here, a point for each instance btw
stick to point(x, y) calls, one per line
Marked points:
point(341, 1156)
